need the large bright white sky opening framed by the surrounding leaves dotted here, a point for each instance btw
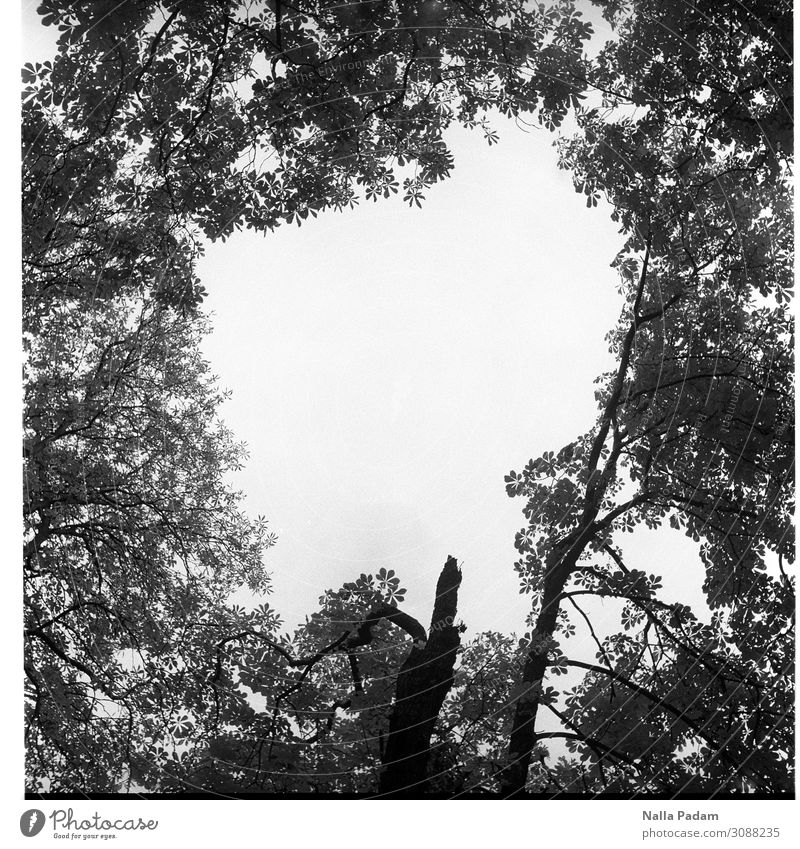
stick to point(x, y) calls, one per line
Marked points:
point(390, 365)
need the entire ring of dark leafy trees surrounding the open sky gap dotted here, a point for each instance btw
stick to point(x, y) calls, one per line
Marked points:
point(159, 125)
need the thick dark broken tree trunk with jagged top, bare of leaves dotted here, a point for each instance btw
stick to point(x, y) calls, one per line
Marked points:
point(422, 686)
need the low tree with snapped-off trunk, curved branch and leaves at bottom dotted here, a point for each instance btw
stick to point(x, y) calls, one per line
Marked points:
point(350, 702)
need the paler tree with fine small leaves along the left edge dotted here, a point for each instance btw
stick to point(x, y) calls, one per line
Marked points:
point(133, 539)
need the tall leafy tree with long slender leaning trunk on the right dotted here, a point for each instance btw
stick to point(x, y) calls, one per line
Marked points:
point(698, 412)
